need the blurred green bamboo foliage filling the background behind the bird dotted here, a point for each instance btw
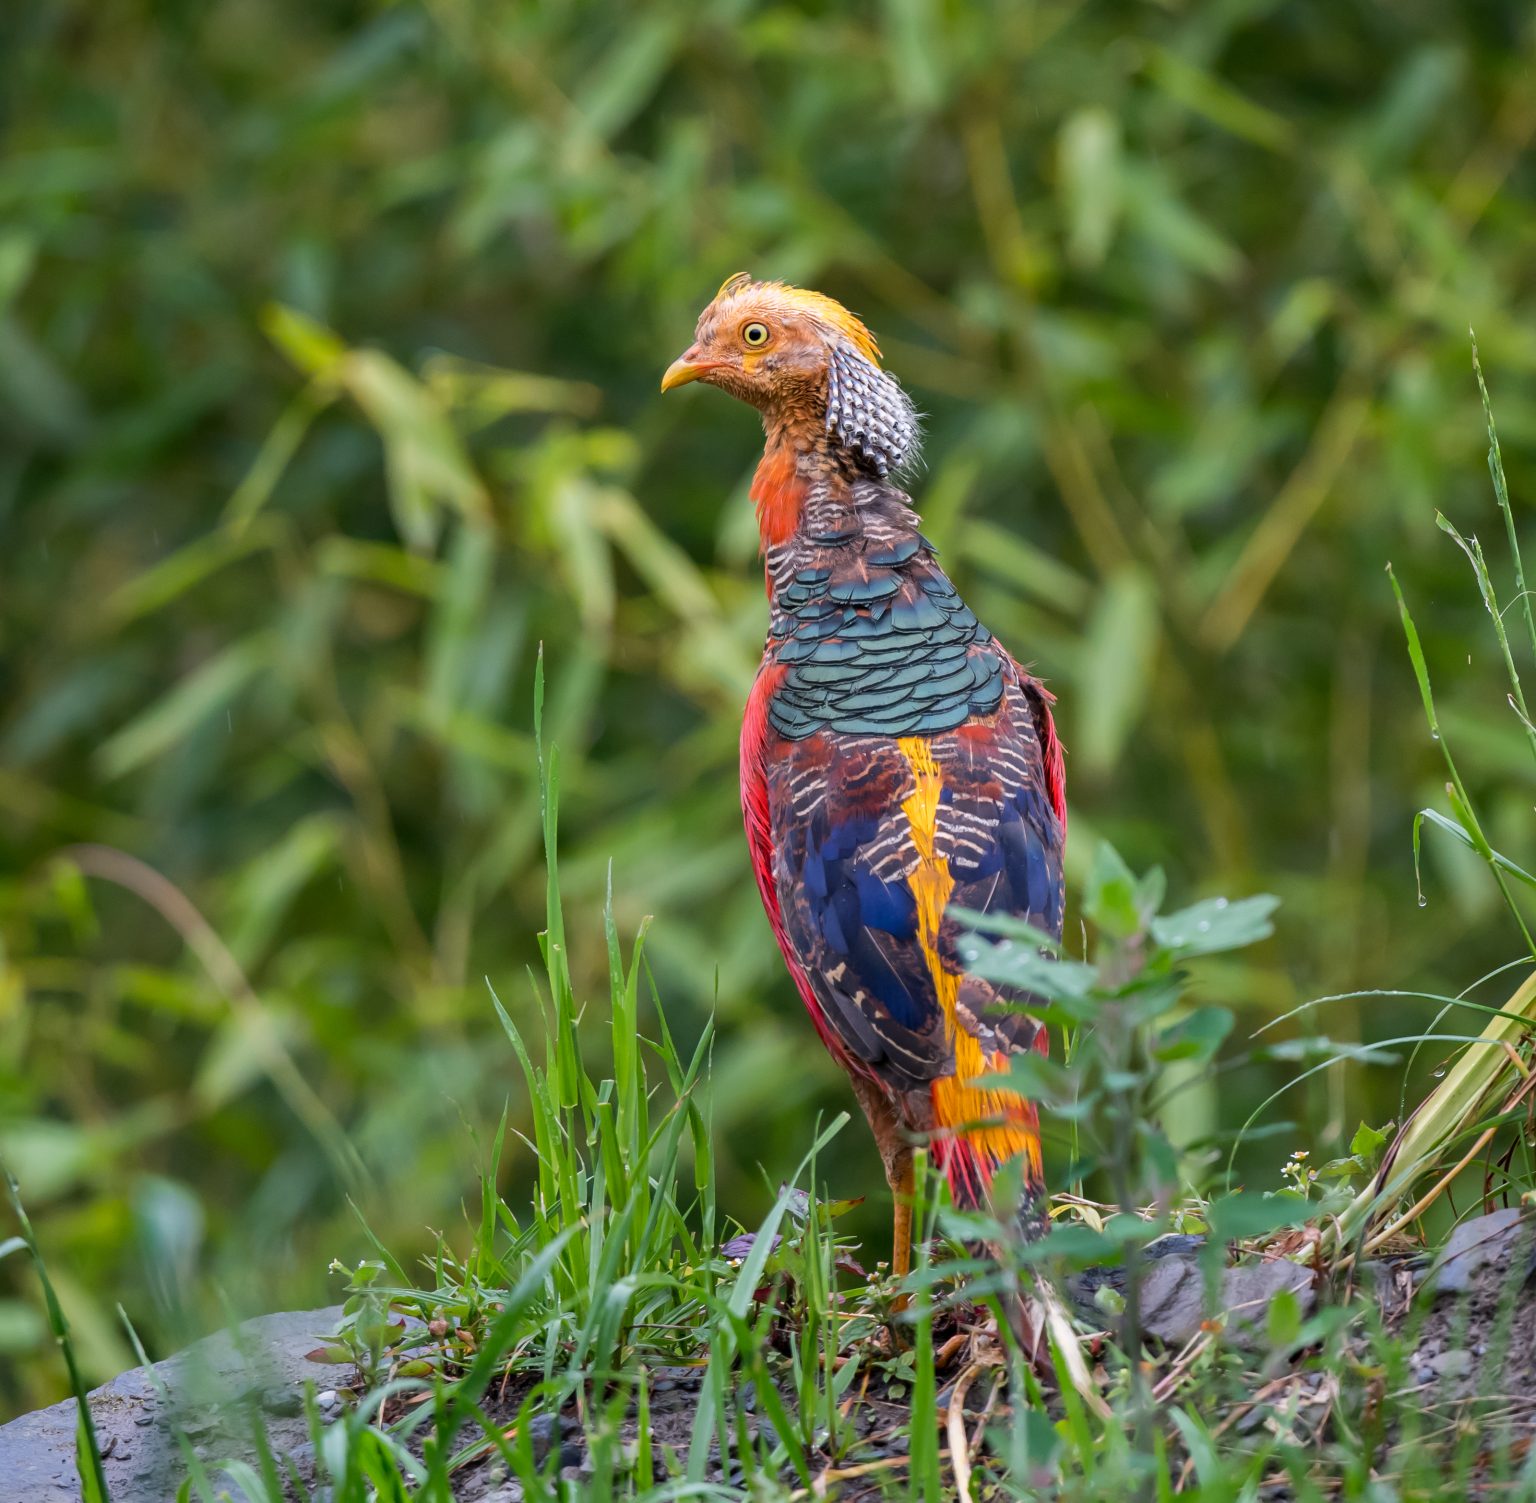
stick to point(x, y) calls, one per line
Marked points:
point(329, 352)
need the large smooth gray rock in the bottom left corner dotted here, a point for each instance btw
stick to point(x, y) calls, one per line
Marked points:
point(205, 1392)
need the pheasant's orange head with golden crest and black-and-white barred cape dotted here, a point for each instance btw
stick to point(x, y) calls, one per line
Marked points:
point(803, 360)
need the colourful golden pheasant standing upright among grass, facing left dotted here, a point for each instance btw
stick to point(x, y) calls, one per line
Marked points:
point(896, 761)
